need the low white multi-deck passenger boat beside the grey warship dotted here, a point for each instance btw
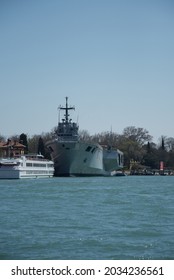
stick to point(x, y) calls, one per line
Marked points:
point(26, 166)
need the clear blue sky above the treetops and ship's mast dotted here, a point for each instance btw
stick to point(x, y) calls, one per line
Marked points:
point(114, 59)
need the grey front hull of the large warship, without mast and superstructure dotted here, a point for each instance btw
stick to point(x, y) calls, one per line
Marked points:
point(76, 158)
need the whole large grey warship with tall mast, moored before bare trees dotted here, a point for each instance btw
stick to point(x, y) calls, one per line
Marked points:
point(73, 157)
